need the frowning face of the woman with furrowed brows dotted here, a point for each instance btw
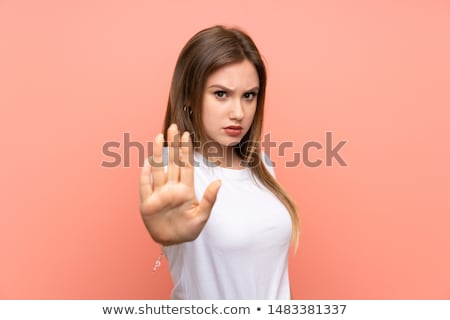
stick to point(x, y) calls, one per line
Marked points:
point(229, 102)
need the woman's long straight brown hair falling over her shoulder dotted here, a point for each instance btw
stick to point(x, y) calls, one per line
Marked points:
point(206, 52)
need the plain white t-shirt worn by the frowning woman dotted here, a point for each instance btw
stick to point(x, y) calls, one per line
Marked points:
point(242, 252)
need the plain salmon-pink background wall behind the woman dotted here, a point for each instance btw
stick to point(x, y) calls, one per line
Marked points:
point(77, 74)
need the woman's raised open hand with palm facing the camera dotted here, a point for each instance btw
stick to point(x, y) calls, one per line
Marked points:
point(169, 207)
